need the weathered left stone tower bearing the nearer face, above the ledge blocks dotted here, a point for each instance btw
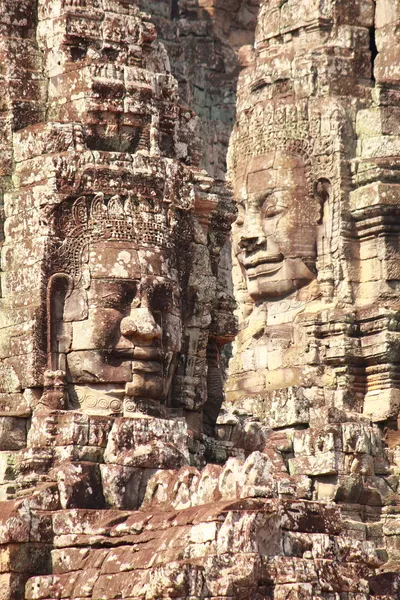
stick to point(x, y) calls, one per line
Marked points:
point(106, 213)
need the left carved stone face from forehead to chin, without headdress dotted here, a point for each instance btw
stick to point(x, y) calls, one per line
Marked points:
point(128, 330)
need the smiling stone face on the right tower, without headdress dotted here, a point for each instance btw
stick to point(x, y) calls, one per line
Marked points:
point(274, 236)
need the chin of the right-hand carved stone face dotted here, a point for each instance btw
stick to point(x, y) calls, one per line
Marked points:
point(268, 284)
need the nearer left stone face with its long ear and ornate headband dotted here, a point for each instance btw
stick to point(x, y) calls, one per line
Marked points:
point(119, 329)
